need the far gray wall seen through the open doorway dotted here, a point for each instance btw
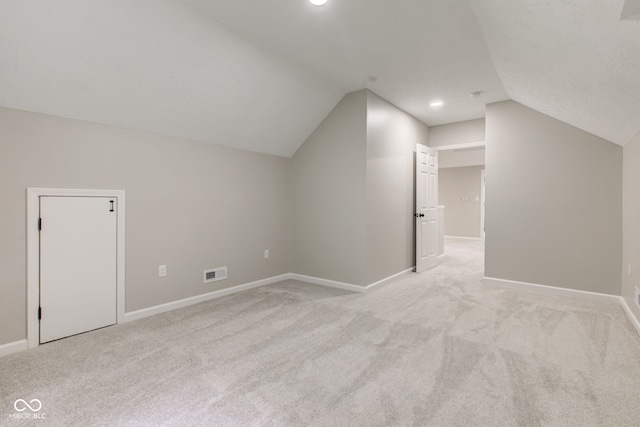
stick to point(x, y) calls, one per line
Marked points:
point(461, 218)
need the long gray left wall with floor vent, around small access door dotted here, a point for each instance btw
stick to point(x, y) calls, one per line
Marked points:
point(189, 205)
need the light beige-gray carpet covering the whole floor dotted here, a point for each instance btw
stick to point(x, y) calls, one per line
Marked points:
point(437, 349)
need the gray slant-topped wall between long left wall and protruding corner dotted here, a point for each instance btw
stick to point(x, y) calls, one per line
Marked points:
point(329, 196)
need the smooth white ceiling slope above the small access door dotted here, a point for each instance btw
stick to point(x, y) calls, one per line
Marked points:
point(155, 66)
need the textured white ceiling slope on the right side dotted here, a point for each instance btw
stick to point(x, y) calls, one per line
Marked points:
point(574, 60)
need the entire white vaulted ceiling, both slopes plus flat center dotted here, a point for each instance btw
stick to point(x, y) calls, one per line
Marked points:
point(261, 75)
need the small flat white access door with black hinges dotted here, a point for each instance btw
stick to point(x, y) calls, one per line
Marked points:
point(77, 265)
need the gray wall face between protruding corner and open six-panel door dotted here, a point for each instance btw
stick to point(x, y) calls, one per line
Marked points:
point(392, 135)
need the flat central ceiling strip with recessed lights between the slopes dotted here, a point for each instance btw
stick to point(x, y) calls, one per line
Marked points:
point(410, 52)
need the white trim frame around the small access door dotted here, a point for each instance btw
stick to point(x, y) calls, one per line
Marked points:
point(33, 251)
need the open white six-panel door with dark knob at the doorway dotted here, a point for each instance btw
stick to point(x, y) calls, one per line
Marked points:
point(427, 208)
